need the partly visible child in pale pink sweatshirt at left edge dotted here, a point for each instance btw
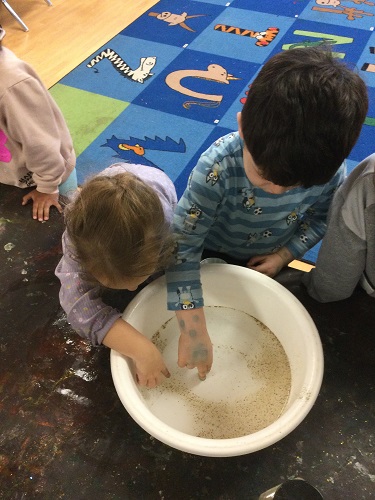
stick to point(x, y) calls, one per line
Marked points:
point(36, 149)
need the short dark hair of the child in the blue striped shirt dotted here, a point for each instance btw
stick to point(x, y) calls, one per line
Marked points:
point(303, 115)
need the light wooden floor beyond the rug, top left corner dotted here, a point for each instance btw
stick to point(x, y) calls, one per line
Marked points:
point(61, 36)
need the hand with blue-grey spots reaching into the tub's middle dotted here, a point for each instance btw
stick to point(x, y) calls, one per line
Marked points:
point(194, 346)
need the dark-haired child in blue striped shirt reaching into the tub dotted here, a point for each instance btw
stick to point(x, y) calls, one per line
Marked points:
point(261, 195)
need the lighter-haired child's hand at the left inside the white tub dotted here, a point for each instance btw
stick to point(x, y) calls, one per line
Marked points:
point(149, 366)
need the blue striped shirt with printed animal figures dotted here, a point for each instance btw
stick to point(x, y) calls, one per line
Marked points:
point(221, 210)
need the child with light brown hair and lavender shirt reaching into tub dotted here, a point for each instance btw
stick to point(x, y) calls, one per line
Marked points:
point(117, 235)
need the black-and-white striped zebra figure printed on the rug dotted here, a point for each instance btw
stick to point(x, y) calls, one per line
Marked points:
point(139, 74)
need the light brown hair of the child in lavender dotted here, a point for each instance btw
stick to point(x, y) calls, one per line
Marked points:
point(118, 228)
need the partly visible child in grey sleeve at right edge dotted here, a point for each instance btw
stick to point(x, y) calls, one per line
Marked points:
point(347, 255)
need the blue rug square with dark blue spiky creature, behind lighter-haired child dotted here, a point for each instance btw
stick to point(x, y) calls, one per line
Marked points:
point(170, 142)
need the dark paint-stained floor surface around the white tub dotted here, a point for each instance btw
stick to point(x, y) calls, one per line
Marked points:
point(65, 434)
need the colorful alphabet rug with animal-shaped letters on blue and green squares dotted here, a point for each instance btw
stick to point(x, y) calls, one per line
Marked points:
point(162, 90)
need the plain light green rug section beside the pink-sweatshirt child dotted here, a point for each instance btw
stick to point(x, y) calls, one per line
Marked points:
point(86, 114)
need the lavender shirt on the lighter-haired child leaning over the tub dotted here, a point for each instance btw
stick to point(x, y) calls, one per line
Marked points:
point(80, 293)
